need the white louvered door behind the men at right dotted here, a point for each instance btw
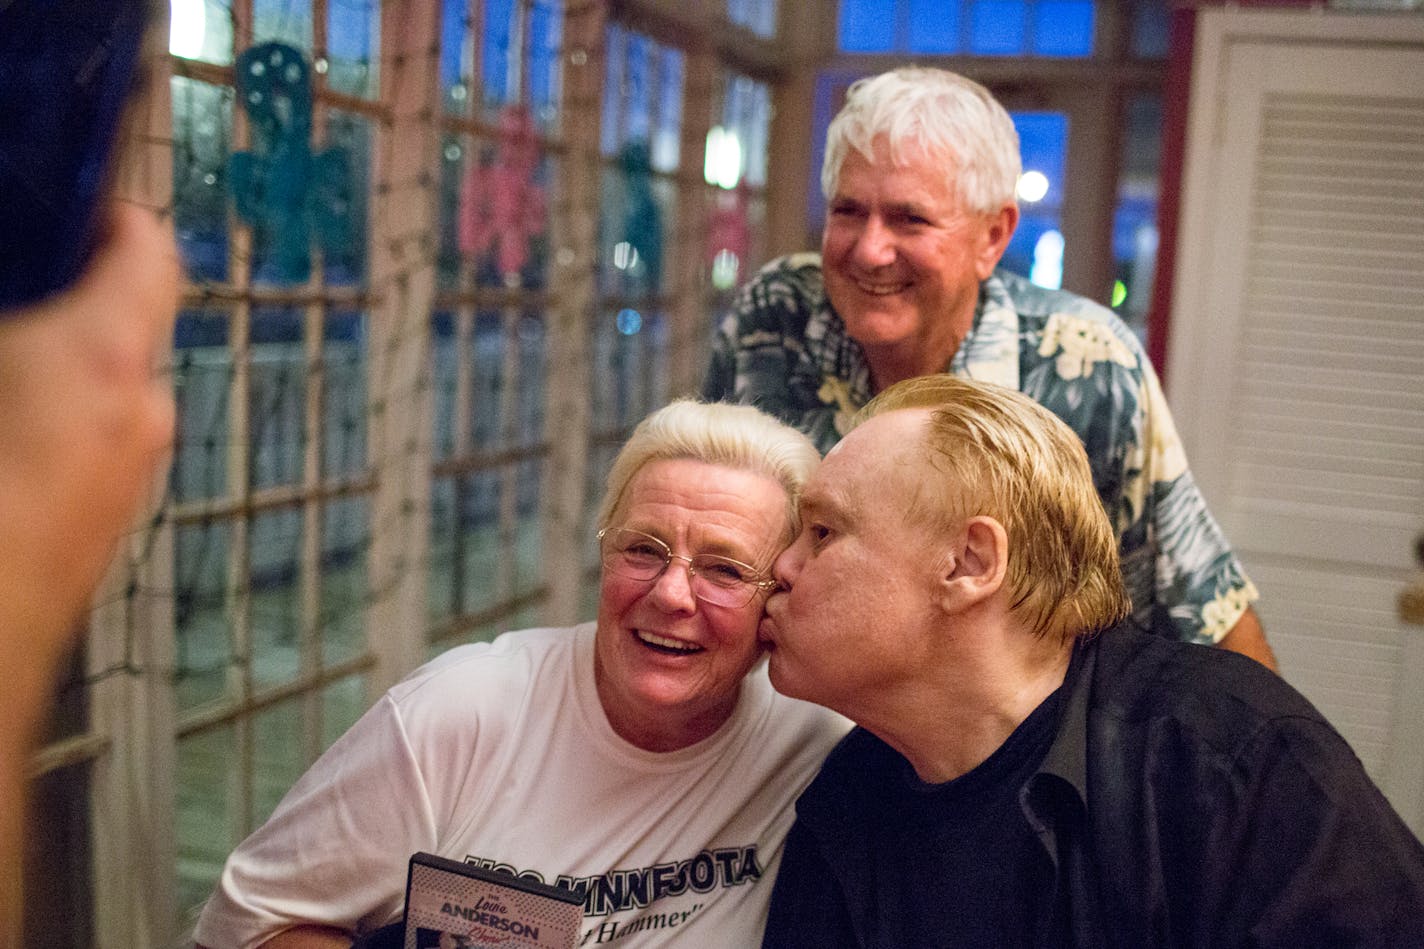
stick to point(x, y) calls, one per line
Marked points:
point(1304, 334)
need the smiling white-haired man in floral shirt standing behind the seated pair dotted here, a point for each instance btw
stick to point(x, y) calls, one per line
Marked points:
point(921, 177)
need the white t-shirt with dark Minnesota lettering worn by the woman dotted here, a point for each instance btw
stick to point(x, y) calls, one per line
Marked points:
point(501, 754)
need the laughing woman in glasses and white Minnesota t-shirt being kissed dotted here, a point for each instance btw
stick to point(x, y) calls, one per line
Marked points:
point(642, 760)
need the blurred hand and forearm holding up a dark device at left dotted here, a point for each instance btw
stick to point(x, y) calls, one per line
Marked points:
point(86, 422)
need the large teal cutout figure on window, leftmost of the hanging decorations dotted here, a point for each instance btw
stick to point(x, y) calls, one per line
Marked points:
point(280, 187)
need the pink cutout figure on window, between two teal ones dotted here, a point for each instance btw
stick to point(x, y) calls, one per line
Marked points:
point(502, 207)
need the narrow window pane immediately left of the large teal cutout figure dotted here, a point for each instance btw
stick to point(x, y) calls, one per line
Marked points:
point(203, 116)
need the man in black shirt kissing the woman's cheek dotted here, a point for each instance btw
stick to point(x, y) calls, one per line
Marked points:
point(1030, 770)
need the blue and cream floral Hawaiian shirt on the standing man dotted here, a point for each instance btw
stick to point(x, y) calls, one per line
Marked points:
point(785, 350)
